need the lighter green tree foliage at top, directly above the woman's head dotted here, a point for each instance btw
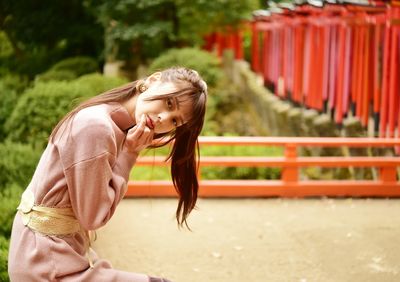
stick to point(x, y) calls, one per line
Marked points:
point(141, 29)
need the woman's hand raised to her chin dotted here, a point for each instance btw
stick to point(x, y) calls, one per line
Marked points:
point(139, 137)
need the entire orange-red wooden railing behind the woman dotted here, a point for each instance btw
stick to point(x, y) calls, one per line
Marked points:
point(387, 184)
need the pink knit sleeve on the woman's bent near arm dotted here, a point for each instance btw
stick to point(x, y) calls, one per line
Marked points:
point(96, 173)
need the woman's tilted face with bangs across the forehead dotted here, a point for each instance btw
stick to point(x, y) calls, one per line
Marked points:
point(162, 115)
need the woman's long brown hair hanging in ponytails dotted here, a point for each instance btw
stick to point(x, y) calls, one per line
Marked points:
point(184, 154)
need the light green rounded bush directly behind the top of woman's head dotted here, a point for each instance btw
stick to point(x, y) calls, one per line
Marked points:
point(203, 62)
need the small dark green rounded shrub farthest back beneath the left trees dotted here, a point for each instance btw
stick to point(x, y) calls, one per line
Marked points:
point(77, 65)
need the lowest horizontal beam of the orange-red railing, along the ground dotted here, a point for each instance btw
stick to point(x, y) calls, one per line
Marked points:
point(269, 188)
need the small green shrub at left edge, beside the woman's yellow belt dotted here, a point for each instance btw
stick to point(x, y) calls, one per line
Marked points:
point(9, 201)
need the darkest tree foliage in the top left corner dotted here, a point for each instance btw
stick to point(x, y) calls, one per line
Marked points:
point(43, 32)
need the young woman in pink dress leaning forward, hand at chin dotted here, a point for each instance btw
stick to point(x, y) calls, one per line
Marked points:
point(83, 173)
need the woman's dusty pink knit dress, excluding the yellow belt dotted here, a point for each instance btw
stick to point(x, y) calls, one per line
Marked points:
point(86, 169)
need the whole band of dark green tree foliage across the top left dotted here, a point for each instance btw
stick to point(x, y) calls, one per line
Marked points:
point(43, 32)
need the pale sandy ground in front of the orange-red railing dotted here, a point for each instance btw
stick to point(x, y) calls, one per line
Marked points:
point(240, 240)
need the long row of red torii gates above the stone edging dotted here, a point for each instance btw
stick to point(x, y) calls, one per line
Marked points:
point(341, 57)
